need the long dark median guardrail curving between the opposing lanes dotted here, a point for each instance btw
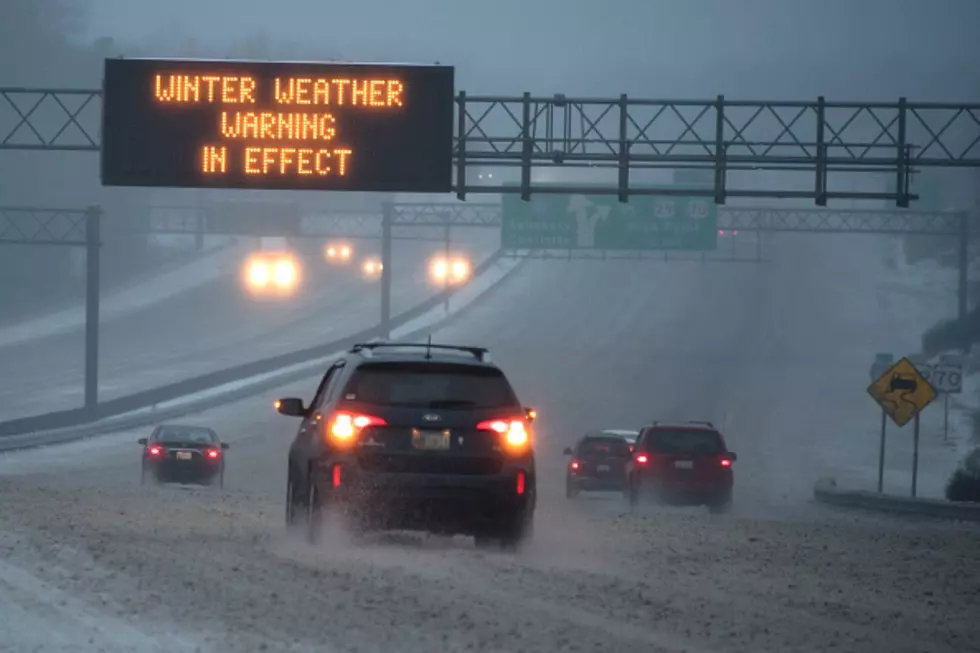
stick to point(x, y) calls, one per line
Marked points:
point(148, 398)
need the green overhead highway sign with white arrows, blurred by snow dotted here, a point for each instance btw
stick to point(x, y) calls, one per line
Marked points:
point(646, 222)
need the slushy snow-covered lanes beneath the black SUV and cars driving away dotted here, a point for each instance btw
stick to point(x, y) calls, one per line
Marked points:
point(774, 354)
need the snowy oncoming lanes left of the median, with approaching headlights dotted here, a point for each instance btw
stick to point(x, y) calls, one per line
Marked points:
point(213, 327)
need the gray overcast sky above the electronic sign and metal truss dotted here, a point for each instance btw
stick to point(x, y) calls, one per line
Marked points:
point(926, 49)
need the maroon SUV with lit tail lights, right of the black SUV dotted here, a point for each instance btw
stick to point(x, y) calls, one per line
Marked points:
point(681, 464)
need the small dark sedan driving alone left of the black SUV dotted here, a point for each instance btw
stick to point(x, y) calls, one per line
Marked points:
point(183, 454)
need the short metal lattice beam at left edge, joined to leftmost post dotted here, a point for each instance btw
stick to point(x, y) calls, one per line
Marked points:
point(36, 226)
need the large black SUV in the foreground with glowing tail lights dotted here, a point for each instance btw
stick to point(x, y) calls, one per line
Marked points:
point(414, 437)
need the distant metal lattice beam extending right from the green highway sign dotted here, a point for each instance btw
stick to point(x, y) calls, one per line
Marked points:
point(841, 221)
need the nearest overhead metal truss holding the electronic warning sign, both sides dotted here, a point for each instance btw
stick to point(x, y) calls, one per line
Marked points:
point(623, 137)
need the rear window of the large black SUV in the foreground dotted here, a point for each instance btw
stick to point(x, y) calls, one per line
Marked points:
point(430, 385)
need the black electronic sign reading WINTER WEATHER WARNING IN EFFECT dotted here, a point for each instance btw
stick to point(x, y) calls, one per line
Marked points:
point(275, 125)
